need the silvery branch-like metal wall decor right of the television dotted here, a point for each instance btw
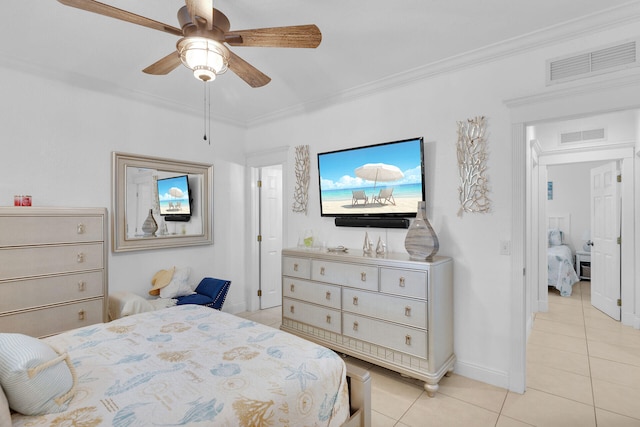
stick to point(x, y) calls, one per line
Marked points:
point(472, 165)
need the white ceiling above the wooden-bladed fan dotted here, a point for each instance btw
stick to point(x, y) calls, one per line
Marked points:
point(365, 42)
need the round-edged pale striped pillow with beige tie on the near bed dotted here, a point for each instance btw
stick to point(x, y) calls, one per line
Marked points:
point(34, 377)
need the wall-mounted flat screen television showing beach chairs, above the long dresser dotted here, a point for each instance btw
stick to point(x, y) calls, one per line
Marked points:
point(375, 181)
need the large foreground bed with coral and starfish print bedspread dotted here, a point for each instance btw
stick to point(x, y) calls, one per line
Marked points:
point(191, 365)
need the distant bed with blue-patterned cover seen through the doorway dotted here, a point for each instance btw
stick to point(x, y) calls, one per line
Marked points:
point(561, 273)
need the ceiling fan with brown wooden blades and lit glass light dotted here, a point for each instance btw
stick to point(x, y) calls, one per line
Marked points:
point(204, 32)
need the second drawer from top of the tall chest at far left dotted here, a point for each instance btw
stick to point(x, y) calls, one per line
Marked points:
point(39, 261)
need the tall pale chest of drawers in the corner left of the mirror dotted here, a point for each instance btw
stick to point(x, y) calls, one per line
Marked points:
point(53, 269)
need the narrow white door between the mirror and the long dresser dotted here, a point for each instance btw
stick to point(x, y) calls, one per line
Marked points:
point(271, 232)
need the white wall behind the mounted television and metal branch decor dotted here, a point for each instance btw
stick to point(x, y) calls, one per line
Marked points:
point(430, 108)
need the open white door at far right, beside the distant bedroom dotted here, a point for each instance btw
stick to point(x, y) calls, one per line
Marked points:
point(605, 231)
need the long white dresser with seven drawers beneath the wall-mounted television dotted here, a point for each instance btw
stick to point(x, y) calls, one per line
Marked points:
point(391, 311)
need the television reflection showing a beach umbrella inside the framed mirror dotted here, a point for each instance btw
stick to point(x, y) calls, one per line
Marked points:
point(174, 198)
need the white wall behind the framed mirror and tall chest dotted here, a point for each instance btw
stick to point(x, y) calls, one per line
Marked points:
point(57, 141)
